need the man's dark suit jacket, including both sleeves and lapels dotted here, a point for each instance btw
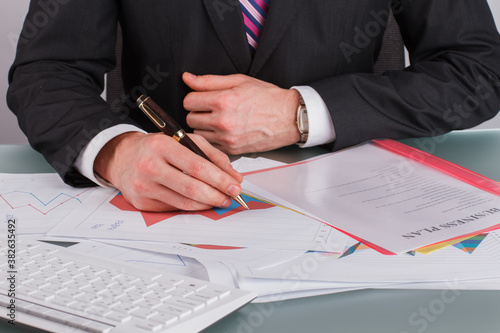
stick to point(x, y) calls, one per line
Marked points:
point(67, 45)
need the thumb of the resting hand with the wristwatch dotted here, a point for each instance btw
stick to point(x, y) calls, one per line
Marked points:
point(213, 82)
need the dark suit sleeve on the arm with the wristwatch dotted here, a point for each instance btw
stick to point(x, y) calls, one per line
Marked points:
point(452, 83)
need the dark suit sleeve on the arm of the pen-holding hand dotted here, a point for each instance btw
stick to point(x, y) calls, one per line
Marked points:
point(64, 50)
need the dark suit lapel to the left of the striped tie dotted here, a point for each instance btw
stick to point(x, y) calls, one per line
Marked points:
point(228, 23)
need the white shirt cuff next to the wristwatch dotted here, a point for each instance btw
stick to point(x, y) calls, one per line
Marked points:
point(321, 127)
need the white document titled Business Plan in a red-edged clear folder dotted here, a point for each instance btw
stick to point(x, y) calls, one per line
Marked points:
point(393, 202)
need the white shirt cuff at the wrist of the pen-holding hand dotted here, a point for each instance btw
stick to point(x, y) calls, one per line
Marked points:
point(85, 161)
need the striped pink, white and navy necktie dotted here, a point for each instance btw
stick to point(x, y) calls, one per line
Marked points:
point(254, 15)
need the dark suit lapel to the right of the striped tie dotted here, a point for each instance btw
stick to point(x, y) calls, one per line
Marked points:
point(280, 16)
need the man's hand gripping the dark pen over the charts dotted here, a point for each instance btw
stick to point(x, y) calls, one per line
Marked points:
point(156, 173)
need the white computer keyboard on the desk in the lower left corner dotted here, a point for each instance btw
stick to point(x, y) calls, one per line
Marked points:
point(56, 289)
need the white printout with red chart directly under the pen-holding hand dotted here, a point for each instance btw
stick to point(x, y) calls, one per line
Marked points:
point(264, 226)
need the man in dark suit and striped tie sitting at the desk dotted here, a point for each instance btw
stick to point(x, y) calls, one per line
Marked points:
point(241, 98)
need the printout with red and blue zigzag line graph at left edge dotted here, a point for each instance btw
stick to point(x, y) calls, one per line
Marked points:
point(38, 201)
